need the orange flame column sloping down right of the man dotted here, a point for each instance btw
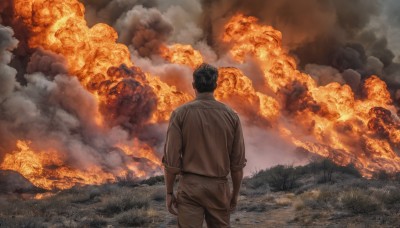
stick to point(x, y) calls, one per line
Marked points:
point(344, 128)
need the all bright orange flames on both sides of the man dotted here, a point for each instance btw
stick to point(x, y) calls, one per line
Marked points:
point(330, 120)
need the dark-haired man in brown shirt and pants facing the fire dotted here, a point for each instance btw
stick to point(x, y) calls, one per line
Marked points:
point(204, 144)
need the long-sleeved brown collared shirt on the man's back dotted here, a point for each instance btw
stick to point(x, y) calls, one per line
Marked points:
point(205, 138)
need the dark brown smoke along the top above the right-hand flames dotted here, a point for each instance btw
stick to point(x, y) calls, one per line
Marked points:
point(312, 29)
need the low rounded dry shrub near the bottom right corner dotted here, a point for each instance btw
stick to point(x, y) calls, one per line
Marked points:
point(359, 202)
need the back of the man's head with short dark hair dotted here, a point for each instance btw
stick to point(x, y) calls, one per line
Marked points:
point(205, 78)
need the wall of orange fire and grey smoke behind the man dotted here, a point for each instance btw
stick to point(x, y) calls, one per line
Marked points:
point(75, 108)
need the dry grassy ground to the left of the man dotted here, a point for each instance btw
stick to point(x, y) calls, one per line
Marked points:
point(90, 206)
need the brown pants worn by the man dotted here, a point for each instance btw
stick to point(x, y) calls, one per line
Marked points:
point(202, 198)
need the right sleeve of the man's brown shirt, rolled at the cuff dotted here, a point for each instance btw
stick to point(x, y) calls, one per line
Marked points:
point(238, 158)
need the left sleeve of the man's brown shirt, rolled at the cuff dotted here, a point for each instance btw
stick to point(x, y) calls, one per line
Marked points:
point(173, 146)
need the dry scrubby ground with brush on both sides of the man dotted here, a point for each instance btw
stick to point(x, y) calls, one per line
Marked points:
point(341, 201)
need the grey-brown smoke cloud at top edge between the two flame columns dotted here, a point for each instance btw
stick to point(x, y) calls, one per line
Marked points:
point(149, 24)
